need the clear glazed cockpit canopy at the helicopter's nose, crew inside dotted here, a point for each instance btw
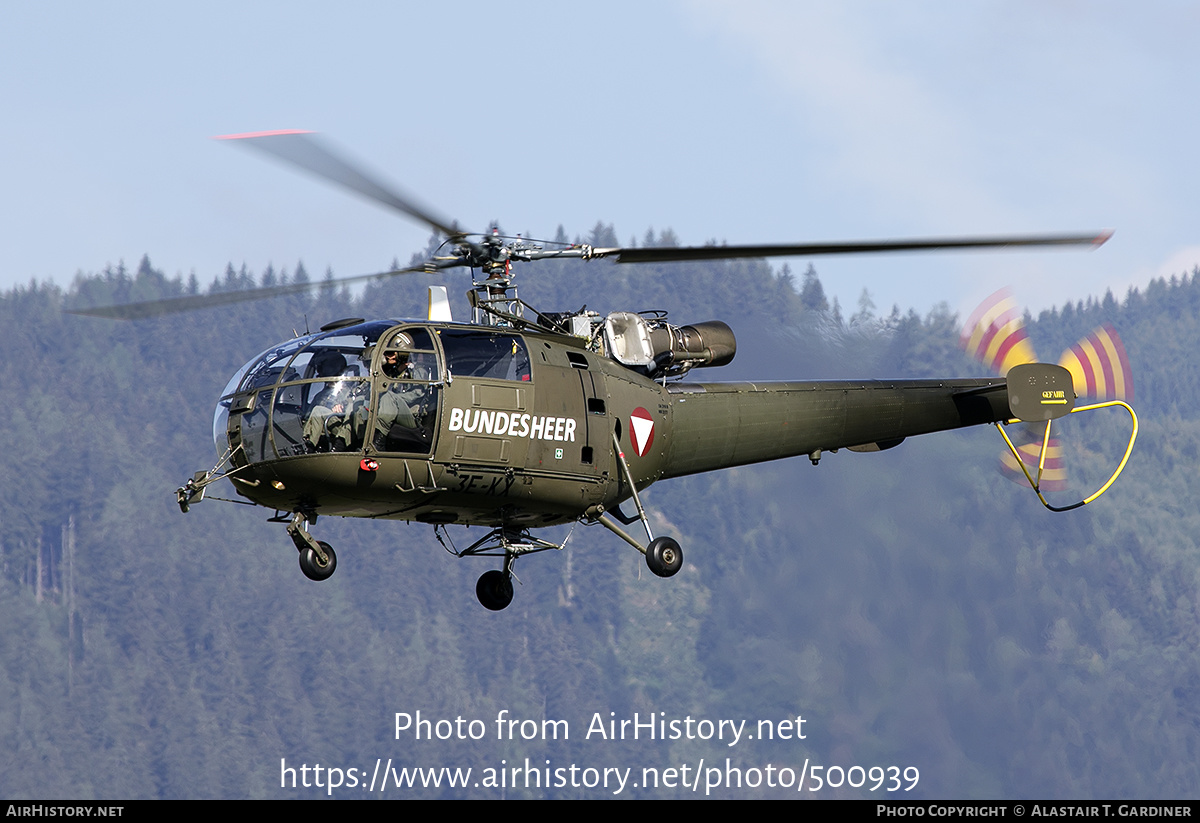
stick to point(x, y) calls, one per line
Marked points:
point(368, 387)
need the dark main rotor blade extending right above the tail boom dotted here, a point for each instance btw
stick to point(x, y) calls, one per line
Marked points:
point(669, 255)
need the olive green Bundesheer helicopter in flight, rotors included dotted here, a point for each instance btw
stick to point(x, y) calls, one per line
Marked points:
point(521, 419)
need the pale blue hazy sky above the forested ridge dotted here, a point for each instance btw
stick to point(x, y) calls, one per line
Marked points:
point(757, 122)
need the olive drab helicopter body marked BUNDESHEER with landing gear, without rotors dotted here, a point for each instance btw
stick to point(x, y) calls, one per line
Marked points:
point(489, 426)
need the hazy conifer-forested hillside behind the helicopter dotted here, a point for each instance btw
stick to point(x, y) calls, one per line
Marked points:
point(914, 606)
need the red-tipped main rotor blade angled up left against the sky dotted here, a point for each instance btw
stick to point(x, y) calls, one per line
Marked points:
point(305, 151)
